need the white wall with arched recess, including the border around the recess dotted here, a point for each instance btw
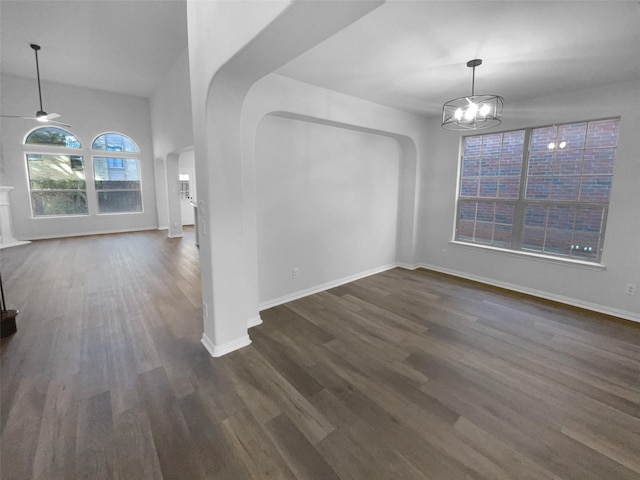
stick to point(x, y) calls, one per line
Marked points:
point(323, 120)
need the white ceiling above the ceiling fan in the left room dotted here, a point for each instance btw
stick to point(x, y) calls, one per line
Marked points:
point(120, 46)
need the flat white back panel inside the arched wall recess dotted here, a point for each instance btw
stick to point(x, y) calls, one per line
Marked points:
point(327, 204)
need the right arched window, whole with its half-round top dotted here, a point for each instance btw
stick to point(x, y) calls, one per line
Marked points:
point(117, 175)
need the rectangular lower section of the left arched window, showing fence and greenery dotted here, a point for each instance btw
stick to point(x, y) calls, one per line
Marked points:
point(57, 184)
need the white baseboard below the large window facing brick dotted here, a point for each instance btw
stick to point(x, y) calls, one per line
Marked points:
point(634, 317)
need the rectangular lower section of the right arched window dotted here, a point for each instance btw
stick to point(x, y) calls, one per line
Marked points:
point(117, 184)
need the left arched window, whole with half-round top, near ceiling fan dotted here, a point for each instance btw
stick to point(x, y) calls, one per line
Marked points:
point(56, 179)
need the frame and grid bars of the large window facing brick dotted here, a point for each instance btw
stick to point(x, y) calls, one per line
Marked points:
point(521, 202)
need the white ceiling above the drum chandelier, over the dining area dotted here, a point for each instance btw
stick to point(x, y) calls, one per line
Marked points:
point(412, 55)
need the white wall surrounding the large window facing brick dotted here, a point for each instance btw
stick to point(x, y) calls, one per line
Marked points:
point(595, 288)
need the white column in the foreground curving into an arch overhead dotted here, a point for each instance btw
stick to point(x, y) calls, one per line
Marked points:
point(226, 202)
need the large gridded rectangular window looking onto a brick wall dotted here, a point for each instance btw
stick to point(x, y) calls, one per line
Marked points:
point(550, 198)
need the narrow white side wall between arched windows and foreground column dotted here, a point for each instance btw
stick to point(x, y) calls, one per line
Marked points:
point(172, 129)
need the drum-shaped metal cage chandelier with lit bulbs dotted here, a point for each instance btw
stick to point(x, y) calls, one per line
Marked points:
point(475, 112)
